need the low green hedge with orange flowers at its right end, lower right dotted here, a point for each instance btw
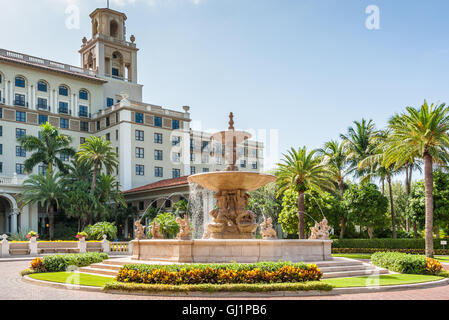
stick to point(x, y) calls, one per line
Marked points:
point(406, 263)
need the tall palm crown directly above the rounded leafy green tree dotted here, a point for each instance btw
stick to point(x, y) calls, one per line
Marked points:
point(358, 141)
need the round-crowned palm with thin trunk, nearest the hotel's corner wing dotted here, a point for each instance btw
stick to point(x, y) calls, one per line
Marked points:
point(96, 152)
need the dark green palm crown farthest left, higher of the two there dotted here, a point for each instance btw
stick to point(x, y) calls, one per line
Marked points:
point(47, 149)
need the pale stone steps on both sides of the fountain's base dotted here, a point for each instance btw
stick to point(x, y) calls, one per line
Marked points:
point(335, 268)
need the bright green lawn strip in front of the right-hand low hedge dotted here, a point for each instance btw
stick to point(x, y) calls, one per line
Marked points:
point(384, 280)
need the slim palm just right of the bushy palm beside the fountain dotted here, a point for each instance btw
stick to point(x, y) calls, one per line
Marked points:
point(335, 154)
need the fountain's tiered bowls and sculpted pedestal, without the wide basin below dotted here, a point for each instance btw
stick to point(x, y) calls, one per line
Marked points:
point(231, 219)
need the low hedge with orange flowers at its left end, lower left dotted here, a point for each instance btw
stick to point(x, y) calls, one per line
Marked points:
point(57, 263)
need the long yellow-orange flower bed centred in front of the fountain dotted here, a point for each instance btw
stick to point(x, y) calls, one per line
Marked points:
point(266, 272)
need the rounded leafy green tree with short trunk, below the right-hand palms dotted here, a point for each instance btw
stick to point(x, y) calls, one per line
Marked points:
point(366, 206)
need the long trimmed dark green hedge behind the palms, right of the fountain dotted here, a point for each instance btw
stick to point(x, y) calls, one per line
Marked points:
point(385, 243)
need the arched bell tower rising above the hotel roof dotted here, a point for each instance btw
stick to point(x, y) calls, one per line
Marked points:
point(108, 52)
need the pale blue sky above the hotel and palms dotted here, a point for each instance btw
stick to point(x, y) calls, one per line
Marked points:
point(306, 68)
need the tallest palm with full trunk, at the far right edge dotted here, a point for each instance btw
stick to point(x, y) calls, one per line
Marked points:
point(421, 133)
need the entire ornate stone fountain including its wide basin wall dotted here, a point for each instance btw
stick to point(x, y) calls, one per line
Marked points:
point(230, 238)
